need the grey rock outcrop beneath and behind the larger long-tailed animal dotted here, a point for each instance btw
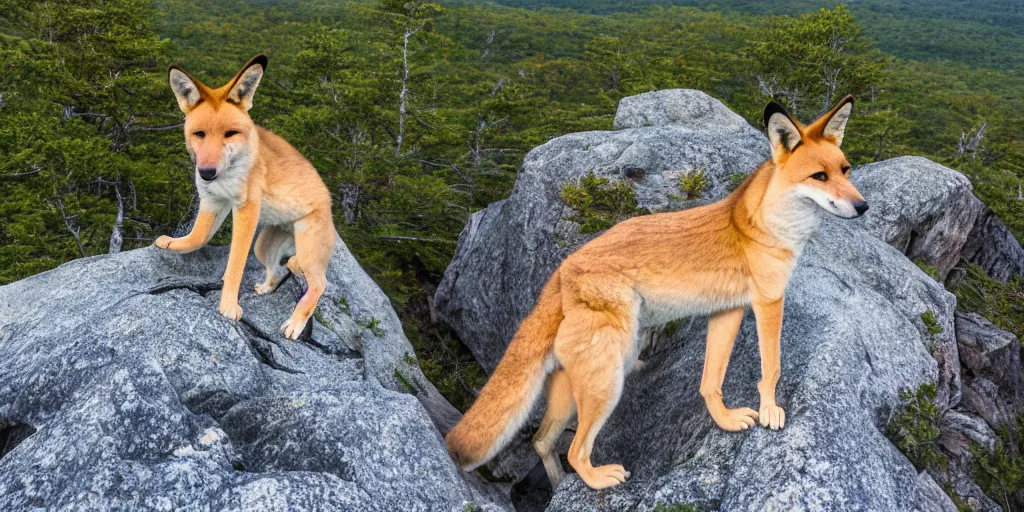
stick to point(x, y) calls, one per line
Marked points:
point(863, 325)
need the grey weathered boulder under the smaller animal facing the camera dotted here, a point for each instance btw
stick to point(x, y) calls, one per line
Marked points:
point(123, 389)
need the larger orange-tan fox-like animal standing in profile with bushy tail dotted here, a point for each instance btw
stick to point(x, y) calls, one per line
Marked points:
point(716, 260)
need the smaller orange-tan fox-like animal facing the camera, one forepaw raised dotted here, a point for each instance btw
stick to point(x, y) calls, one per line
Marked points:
point(264, 182)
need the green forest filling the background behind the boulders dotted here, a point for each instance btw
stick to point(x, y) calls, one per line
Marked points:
point(93, 160)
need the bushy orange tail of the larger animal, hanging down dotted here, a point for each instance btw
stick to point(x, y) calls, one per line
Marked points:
point(506, 401)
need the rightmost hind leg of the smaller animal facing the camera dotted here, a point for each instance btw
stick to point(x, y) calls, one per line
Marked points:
point(315, 239)
